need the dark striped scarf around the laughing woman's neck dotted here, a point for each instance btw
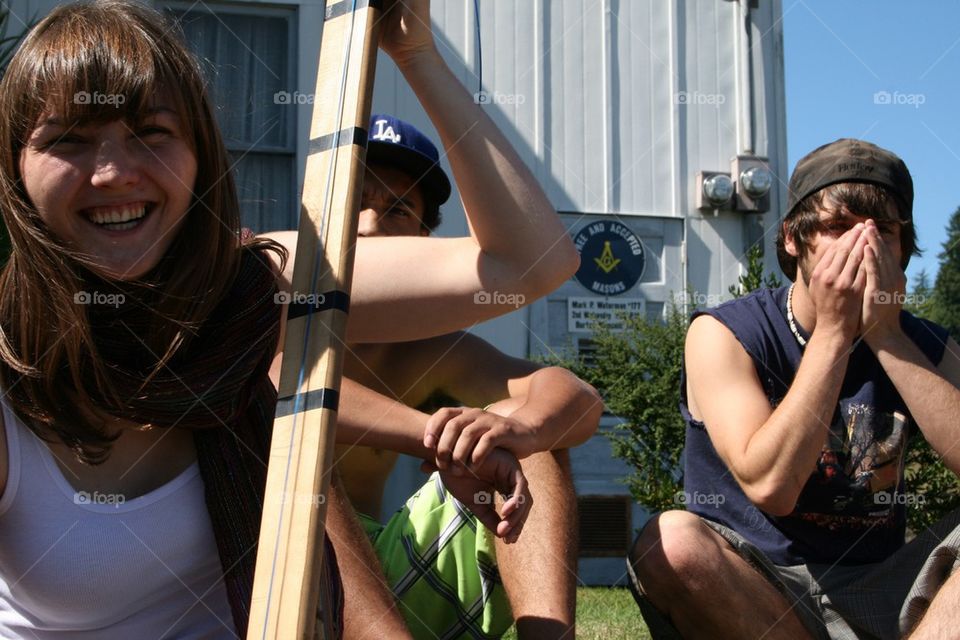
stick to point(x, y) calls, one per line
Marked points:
point(219, 387)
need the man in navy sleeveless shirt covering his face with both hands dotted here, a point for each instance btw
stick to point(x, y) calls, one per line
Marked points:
point(799, 404)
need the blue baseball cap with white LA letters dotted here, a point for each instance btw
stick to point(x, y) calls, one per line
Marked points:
point(396, 143)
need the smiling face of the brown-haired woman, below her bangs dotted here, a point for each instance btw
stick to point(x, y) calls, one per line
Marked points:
point(115, 191)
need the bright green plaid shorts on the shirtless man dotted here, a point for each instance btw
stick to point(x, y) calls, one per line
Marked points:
point(440, 562)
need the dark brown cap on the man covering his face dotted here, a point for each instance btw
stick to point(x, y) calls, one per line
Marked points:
point(850, 160)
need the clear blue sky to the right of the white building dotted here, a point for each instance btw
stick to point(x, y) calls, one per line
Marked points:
point(840, 54)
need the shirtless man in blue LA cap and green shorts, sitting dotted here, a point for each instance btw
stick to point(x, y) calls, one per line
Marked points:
point(547, 411)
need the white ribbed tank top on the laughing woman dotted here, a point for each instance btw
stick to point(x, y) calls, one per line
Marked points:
point(87, 567)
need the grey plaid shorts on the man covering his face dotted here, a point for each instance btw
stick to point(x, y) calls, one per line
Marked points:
point(837, 602)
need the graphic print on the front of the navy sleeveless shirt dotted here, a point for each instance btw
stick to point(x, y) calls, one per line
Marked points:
point(859, 471)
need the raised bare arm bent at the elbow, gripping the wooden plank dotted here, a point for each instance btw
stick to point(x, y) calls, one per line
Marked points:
point(517, 242)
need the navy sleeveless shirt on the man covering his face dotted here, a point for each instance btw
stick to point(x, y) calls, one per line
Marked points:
point(851, 510)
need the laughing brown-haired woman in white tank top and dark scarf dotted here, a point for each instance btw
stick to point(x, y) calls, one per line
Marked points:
point(137, 322)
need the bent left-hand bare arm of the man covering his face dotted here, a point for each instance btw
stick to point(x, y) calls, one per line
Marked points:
point(771, 453)
